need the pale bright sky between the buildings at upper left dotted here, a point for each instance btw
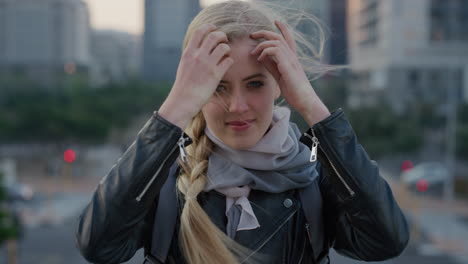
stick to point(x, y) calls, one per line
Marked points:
point(122, 15)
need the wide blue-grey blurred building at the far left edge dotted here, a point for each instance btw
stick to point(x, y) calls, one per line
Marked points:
point(44, 39)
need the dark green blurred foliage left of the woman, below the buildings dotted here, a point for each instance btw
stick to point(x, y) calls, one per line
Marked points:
point(76, 112)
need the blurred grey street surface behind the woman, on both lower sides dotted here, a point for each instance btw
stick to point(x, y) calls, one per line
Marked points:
point(51, 222)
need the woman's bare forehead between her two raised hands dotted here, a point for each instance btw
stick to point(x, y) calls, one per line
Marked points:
point(245, 64)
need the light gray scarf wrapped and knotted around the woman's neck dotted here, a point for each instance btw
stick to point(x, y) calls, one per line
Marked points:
point(278, 162)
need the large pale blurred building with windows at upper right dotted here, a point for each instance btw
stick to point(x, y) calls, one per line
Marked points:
point(405, 51)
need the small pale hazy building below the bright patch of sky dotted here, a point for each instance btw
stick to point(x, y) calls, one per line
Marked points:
point(116, 56)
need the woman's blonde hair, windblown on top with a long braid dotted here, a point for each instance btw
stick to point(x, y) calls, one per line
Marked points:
point(200, 240)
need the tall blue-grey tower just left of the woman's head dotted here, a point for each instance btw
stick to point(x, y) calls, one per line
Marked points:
point(165, 24)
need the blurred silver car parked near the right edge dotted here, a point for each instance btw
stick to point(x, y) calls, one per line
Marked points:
point(434, 173)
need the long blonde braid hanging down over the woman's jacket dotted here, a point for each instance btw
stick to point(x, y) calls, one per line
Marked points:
point(200, 239)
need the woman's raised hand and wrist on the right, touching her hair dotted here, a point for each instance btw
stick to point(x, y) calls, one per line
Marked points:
point(278, 55)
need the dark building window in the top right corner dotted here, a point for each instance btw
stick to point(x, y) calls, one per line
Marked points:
point(449, 20)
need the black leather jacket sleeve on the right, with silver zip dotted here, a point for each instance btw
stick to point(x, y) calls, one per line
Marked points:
point(368, 223)
